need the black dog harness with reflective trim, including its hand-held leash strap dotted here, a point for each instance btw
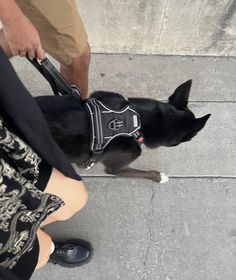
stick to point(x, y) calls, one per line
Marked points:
point(105, 123)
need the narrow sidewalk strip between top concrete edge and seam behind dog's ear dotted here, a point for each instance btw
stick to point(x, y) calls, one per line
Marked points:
point(149, 75)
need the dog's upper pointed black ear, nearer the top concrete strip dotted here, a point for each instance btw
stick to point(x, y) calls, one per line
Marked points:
point(179, 99)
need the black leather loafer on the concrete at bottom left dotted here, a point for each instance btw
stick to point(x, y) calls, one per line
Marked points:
point(71, 253)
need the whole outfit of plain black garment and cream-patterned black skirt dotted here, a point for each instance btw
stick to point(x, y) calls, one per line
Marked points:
point(27, 155)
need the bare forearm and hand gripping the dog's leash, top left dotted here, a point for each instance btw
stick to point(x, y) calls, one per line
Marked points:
point(19, 32)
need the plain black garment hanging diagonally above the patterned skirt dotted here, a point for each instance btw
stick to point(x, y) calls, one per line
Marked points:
point(22, 112)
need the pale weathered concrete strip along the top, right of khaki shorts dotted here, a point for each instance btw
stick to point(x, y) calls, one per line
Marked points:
point(180, 27)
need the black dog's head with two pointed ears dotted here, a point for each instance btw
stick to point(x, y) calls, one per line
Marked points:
point(172, 123)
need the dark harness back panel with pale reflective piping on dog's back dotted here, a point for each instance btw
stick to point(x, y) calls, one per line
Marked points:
point(107, 124)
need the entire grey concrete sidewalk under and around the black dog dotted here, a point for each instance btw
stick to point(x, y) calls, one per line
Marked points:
point(185, 229)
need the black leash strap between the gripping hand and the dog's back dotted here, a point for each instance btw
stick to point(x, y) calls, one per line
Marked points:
point(58, 84)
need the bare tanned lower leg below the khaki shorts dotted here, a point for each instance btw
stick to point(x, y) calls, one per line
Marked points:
point(77, 72)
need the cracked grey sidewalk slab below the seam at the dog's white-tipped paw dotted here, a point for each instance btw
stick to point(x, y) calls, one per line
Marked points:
point(184, 230)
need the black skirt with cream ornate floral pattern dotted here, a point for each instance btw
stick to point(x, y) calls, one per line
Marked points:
point(23, 204)
